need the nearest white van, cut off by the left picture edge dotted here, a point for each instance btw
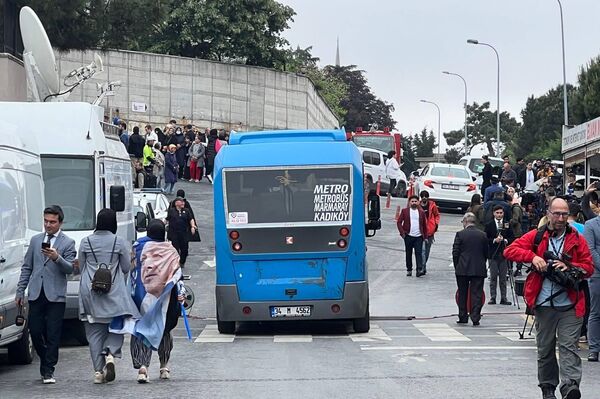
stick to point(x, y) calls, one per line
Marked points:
point(21, 205)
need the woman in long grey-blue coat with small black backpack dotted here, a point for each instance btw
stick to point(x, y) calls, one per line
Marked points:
point(97, 307)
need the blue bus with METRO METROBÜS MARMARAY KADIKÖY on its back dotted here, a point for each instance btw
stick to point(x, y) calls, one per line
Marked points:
point(290, 227)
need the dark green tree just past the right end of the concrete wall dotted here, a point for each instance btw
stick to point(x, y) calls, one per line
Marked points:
point(363, 107)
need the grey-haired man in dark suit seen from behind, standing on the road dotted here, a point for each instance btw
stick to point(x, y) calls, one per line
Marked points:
point(469, 254)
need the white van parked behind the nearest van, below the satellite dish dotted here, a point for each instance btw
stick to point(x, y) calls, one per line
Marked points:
point(85, 168)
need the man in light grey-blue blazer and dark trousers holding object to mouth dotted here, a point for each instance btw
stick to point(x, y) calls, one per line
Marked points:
point(48, 261)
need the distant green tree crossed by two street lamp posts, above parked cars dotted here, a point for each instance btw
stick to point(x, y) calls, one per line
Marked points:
point(481, 128)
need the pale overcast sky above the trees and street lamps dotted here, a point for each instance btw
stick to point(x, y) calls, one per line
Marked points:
point(405, 45)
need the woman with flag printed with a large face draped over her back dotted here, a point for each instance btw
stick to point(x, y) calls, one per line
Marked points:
point(156, 264)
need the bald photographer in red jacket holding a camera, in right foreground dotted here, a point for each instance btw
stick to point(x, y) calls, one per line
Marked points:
point(559, 311)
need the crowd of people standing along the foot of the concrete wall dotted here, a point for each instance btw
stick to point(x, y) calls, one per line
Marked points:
point(161, 157)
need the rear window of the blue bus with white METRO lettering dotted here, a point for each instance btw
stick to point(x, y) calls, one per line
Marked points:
point(307, 195)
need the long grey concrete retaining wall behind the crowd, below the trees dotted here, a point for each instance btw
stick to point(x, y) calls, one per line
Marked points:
point(205, 93)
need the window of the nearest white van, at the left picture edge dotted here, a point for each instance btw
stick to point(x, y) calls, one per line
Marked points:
point(12, 206)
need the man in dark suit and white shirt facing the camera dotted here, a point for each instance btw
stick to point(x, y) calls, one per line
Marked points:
point(499, 235)
